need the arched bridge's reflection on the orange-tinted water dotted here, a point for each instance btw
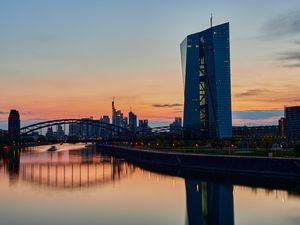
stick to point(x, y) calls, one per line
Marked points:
point(66, 169)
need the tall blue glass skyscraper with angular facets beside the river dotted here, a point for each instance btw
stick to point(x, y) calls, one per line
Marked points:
point(205, 60)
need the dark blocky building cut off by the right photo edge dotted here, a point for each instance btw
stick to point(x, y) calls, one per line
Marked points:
point(292, 121)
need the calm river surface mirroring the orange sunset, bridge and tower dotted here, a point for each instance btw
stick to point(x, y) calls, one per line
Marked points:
point(76, 185)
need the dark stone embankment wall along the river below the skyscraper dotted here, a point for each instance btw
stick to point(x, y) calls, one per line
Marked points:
point(194, 163)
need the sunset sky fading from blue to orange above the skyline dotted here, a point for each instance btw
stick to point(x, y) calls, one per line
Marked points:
point(68, 58)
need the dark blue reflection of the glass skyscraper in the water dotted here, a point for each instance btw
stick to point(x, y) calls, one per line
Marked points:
point(209, 203)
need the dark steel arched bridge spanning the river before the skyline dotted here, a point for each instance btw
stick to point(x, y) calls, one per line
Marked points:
point(95, 130)
